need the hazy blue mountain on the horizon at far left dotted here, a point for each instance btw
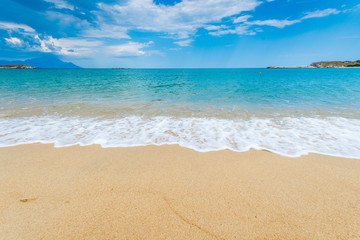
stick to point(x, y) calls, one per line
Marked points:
point(47, 61)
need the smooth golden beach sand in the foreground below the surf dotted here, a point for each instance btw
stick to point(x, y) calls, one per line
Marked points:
point(169, 192)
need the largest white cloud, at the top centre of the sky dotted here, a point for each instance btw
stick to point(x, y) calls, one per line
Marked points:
point(178, 21)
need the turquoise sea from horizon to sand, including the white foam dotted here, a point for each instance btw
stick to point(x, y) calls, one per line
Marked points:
point(291, 112)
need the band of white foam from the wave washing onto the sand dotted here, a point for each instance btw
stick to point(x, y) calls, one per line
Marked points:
point(286, 136)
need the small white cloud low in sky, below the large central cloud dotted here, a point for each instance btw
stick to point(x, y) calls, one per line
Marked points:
point(128, 49)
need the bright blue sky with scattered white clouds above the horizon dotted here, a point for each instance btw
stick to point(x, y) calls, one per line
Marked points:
point(181, 33)
